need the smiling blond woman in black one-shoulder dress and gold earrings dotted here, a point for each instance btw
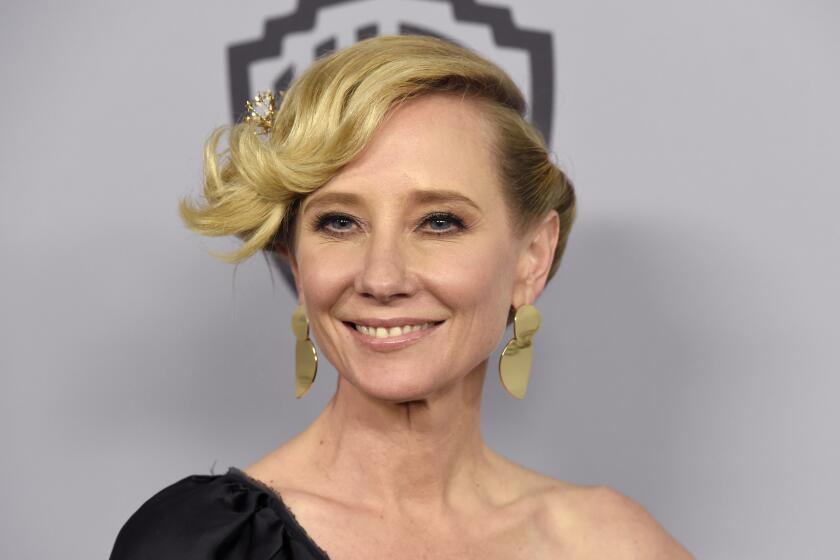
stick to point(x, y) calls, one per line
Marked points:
point(419, 213)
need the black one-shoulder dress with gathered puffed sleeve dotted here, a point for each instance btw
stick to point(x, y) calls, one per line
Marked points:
point(227, 516)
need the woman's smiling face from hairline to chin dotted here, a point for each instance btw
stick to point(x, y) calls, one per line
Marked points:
point(406, 260)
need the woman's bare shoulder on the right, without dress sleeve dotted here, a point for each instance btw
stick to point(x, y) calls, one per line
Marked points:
point(599, 521)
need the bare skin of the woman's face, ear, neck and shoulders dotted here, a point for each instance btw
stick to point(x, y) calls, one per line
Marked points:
point(395, 465)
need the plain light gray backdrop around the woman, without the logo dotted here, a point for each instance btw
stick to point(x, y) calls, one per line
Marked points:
point(689, 351)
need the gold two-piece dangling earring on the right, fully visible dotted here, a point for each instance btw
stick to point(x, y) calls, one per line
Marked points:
point(515, 361)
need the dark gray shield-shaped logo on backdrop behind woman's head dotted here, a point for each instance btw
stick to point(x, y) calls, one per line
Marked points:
point(291, 43)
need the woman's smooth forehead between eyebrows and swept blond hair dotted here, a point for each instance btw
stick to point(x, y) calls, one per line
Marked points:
point(431, 142)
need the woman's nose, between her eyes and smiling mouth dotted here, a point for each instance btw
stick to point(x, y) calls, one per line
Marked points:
point(384, 274)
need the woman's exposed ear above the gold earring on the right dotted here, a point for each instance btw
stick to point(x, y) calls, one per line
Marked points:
point(535, 259)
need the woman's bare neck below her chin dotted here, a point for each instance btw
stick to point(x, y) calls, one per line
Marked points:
point(402, 454)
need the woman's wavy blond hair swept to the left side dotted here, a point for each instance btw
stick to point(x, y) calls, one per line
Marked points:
point(328, 116)
